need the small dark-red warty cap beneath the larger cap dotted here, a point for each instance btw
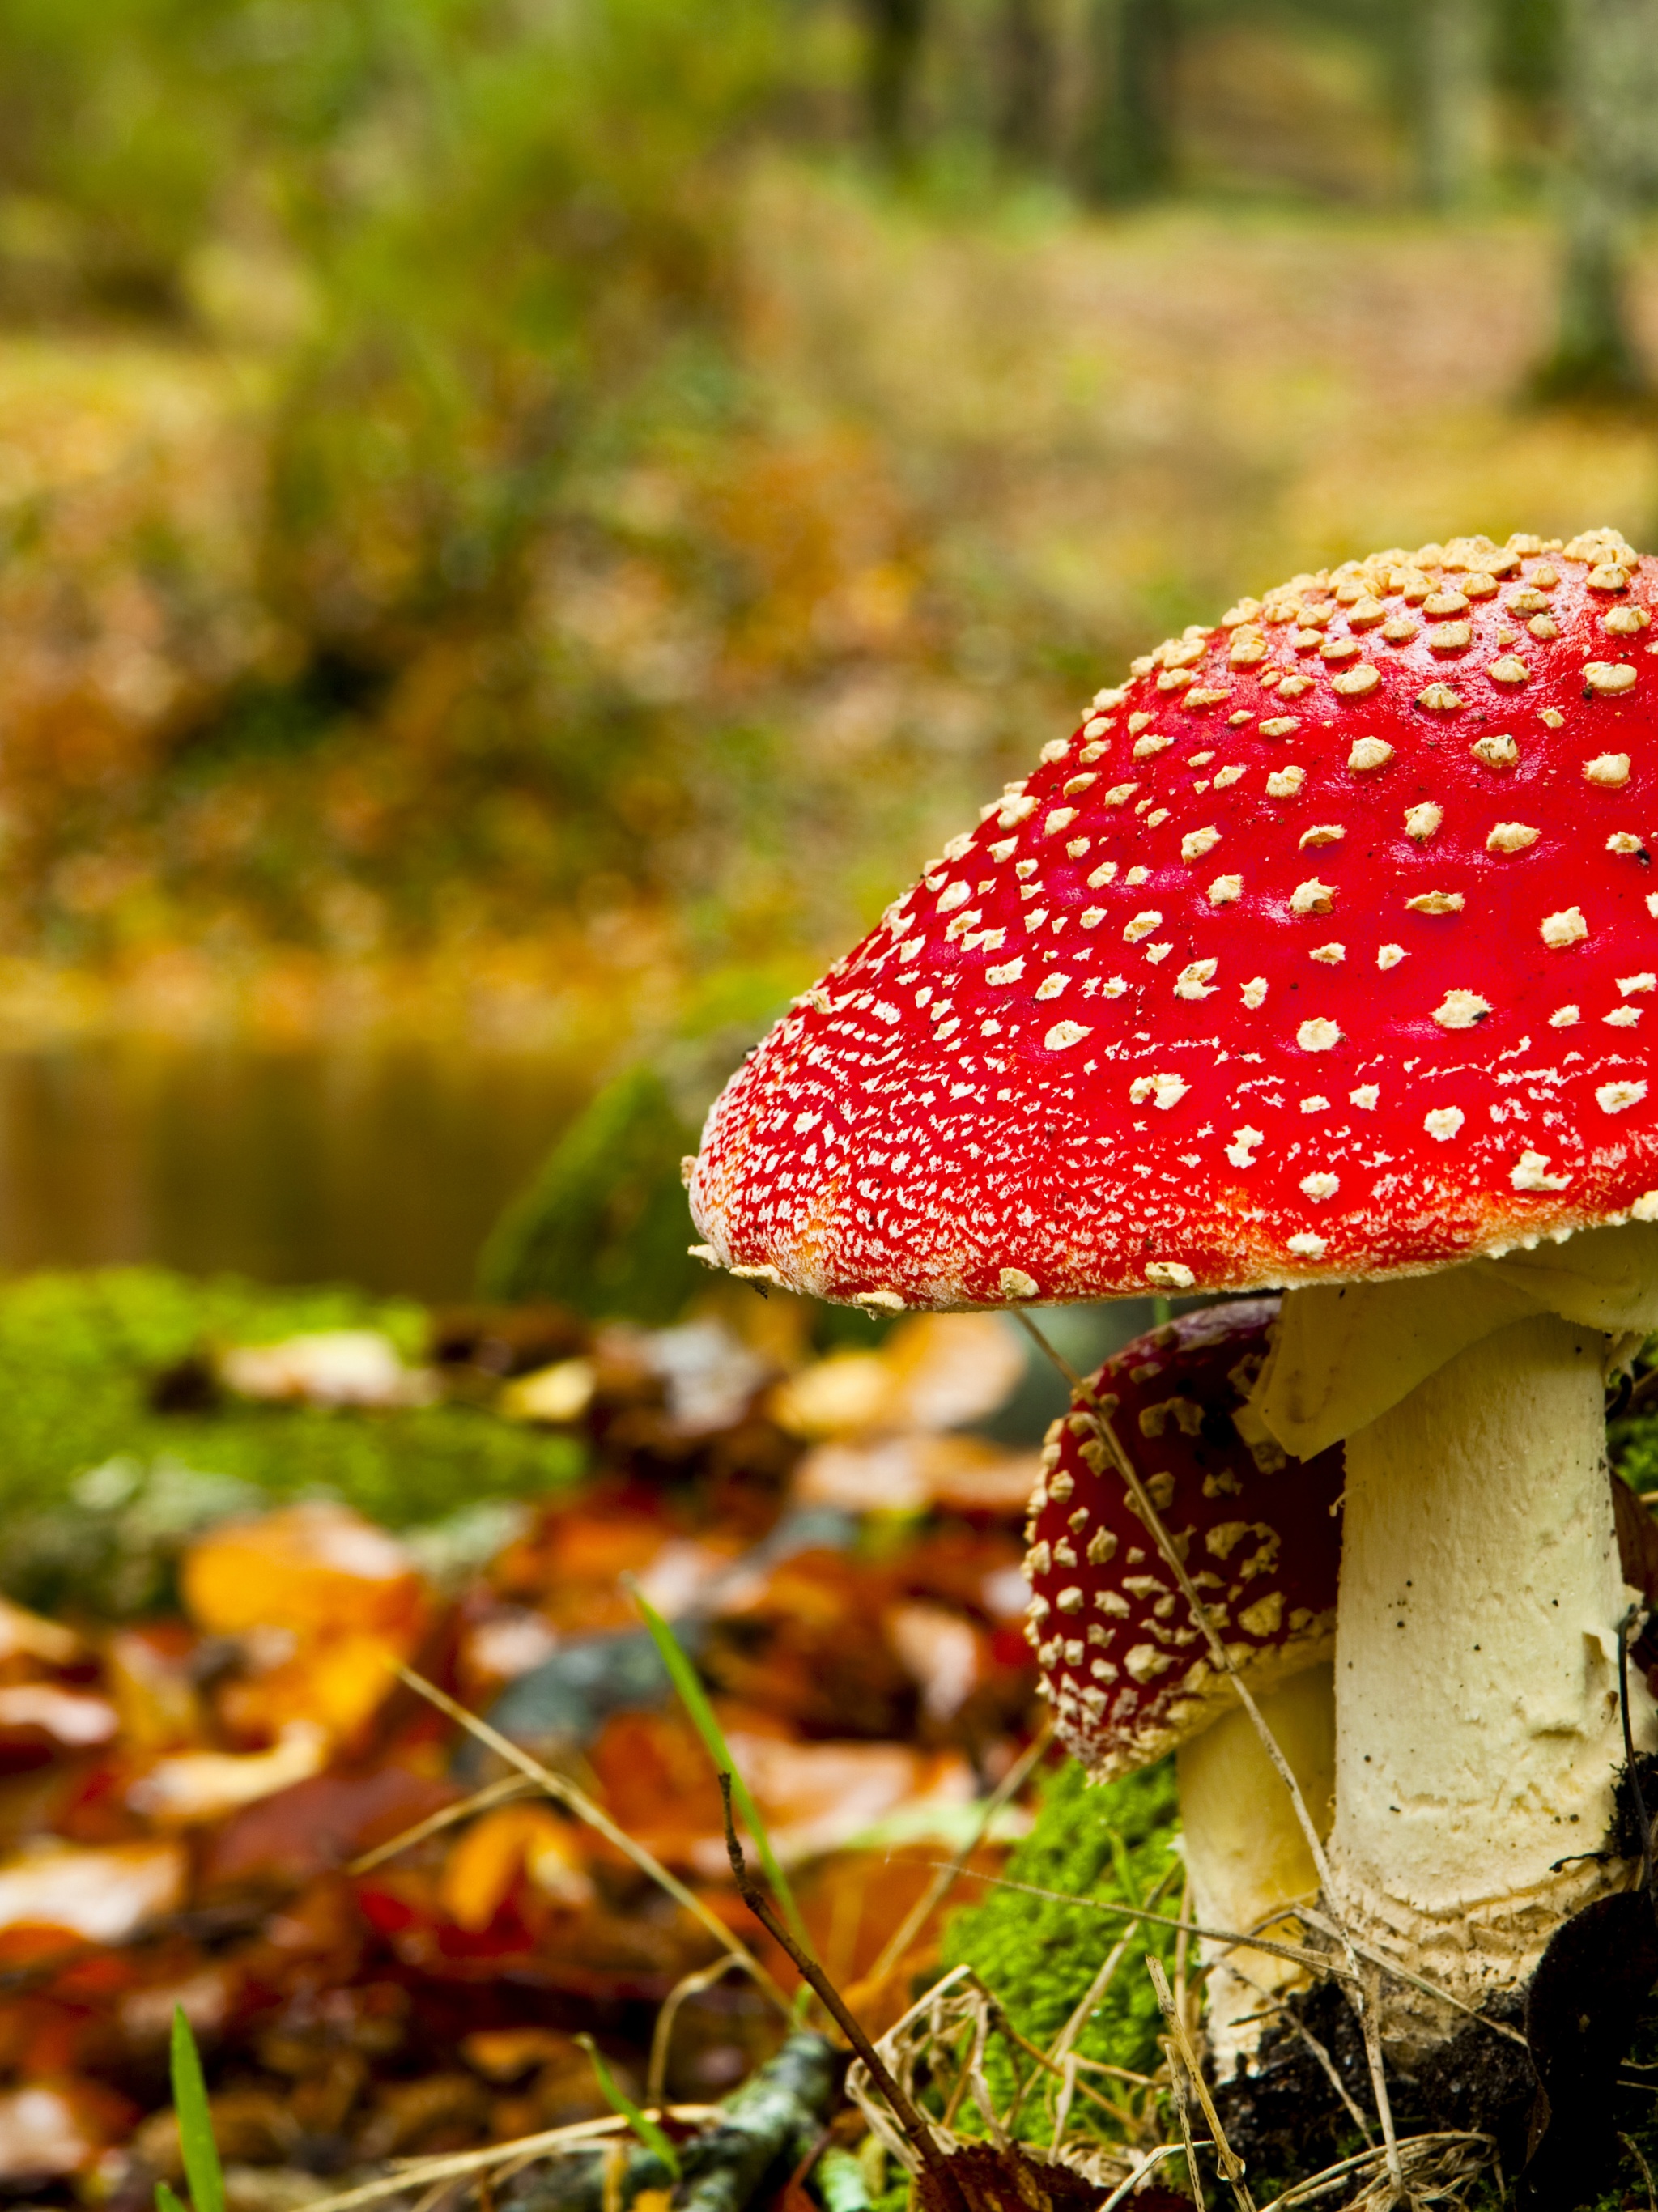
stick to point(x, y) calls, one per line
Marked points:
point(1122, 1658)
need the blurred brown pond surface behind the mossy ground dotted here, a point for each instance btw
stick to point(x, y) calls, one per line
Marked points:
point(384, 1165)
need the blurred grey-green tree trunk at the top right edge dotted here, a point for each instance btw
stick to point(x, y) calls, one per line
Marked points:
point(1613, 81)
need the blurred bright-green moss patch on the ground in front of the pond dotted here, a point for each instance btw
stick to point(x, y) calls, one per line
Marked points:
point(98, 1488)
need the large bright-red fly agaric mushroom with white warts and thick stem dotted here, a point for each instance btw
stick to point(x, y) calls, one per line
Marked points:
point(1316, 957)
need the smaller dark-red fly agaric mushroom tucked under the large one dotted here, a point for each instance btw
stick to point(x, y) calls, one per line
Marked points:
point(1126, 1669)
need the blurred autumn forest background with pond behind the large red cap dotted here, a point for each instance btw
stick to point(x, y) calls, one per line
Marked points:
point(523, 521)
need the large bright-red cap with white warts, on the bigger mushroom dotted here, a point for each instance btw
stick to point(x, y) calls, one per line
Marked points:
point(1321, 950)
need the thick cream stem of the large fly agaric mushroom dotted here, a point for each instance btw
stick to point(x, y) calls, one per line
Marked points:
point(1476, 1669)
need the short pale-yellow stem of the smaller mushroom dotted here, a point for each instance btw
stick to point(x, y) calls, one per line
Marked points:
point(1246, 1848)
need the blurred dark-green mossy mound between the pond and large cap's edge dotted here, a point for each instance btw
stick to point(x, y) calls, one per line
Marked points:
point(605, 1224)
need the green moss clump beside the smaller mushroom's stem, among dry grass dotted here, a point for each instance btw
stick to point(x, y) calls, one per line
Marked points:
point(1040, 1957)
